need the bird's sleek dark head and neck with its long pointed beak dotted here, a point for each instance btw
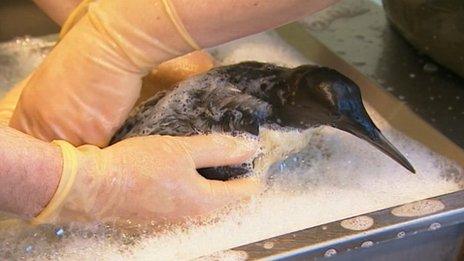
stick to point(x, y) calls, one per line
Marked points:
point(322, 96)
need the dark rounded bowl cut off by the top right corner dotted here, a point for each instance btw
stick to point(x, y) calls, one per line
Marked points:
point(434, 27)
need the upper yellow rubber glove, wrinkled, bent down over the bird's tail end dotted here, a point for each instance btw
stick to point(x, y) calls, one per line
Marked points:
point(87, 85)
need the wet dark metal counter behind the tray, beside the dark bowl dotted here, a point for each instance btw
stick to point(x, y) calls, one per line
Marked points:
point(361, 36)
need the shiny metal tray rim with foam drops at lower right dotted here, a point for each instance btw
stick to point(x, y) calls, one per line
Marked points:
point(331, 239)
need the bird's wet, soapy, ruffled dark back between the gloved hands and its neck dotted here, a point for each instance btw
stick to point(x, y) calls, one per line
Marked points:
point(210, 102)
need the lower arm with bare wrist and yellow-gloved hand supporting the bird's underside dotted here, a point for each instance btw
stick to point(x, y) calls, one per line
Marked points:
point(142, 179)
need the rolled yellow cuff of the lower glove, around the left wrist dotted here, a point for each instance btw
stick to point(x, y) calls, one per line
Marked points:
point(68, 176)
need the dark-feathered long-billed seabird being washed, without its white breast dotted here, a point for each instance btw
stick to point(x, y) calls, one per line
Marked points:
point(244, 96)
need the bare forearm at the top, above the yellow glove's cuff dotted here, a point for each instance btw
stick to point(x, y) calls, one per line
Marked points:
point(212, 22)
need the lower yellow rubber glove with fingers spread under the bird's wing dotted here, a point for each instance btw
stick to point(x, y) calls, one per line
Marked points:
point(147, 179)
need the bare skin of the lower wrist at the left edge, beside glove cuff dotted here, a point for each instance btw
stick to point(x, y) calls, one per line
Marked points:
point(29, 173)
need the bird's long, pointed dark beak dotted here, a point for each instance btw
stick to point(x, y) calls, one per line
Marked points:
point(370, 133)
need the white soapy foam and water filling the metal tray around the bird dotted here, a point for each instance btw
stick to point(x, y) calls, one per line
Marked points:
point(328, 175)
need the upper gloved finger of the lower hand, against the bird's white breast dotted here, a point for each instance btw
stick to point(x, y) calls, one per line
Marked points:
point(218, 149)
